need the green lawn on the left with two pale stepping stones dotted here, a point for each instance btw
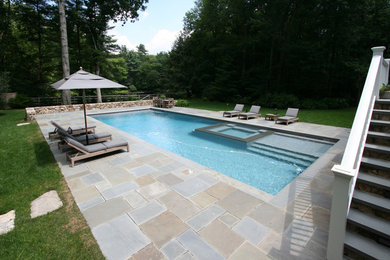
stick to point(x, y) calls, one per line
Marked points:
point(27, 170)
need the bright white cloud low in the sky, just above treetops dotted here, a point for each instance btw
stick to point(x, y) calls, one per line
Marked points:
point(162, 41)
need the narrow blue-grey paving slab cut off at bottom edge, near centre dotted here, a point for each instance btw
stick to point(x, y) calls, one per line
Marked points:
point(198, 247)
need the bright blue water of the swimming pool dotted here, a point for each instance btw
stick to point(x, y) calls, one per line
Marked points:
point(268, 163)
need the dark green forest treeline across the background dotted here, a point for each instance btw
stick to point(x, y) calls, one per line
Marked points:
point(250, 51)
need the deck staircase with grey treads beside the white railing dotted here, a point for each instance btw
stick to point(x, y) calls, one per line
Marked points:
point(368, 222)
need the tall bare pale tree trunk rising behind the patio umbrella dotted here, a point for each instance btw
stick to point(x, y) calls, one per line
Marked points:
point(64, 47)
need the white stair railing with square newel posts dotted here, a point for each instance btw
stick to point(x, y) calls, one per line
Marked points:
point(346, 173)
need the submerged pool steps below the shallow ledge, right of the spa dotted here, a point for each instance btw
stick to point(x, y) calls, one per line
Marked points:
point(282, 155)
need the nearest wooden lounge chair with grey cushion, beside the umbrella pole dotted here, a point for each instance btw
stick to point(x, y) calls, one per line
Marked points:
point(92, 150)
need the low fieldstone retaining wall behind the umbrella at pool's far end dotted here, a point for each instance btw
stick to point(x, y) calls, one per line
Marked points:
point(32, 111)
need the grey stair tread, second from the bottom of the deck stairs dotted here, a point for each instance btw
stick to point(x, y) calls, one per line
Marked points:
point(374, 224)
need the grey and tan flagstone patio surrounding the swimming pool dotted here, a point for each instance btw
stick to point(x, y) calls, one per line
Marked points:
point(153, 204)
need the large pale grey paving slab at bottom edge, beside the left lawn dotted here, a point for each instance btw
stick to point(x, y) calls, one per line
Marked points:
point(120, 238)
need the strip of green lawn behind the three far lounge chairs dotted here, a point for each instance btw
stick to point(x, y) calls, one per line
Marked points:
point(333, 117)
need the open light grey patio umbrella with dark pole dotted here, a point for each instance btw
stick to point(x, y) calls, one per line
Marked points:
point(84, 80)
